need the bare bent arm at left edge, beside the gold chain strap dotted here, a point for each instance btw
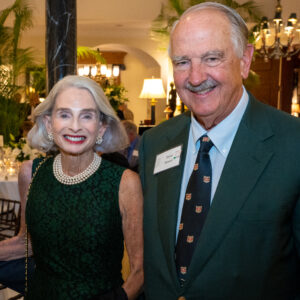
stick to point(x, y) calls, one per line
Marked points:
point(14, 247)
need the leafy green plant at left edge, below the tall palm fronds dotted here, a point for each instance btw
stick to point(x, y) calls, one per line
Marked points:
point(12, 116)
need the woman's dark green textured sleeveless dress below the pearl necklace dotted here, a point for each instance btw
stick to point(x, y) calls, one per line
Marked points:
point(76, 234)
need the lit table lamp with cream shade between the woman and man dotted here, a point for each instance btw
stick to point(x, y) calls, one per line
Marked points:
point(153, 89)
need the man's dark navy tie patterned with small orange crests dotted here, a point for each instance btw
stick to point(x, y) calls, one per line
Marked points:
point(195, 208)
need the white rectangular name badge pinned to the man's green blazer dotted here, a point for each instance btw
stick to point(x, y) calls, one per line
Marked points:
point(168, 159)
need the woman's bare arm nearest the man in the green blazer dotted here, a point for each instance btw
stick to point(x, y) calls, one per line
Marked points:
point(131, 208)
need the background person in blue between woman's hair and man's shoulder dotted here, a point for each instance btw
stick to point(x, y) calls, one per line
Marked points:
point(131, 152)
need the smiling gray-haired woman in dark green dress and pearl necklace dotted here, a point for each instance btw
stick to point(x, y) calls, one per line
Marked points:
point(80, 206)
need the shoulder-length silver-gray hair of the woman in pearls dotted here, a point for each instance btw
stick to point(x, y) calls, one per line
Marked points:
point(114, 138)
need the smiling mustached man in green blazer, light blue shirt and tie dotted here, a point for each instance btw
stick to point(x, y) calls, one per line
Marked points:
point(221, 183)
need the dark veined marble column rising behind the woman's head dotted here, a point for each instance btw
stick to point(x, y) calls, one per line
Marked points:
point(61, 41)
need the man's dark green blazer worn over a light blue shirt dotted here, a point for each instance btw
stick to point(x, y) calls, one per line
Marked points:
point(249, 247)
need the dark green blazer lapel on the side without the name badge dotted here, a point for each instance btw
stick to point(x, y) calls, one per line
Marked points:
point(247, 159)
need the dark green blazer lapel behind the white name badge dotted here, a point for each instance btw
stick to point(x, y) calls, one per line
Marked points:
point(168, 192)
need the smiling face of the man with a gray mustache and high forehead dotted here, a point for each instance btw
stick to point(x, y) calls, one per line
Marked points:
point(207, 71)
